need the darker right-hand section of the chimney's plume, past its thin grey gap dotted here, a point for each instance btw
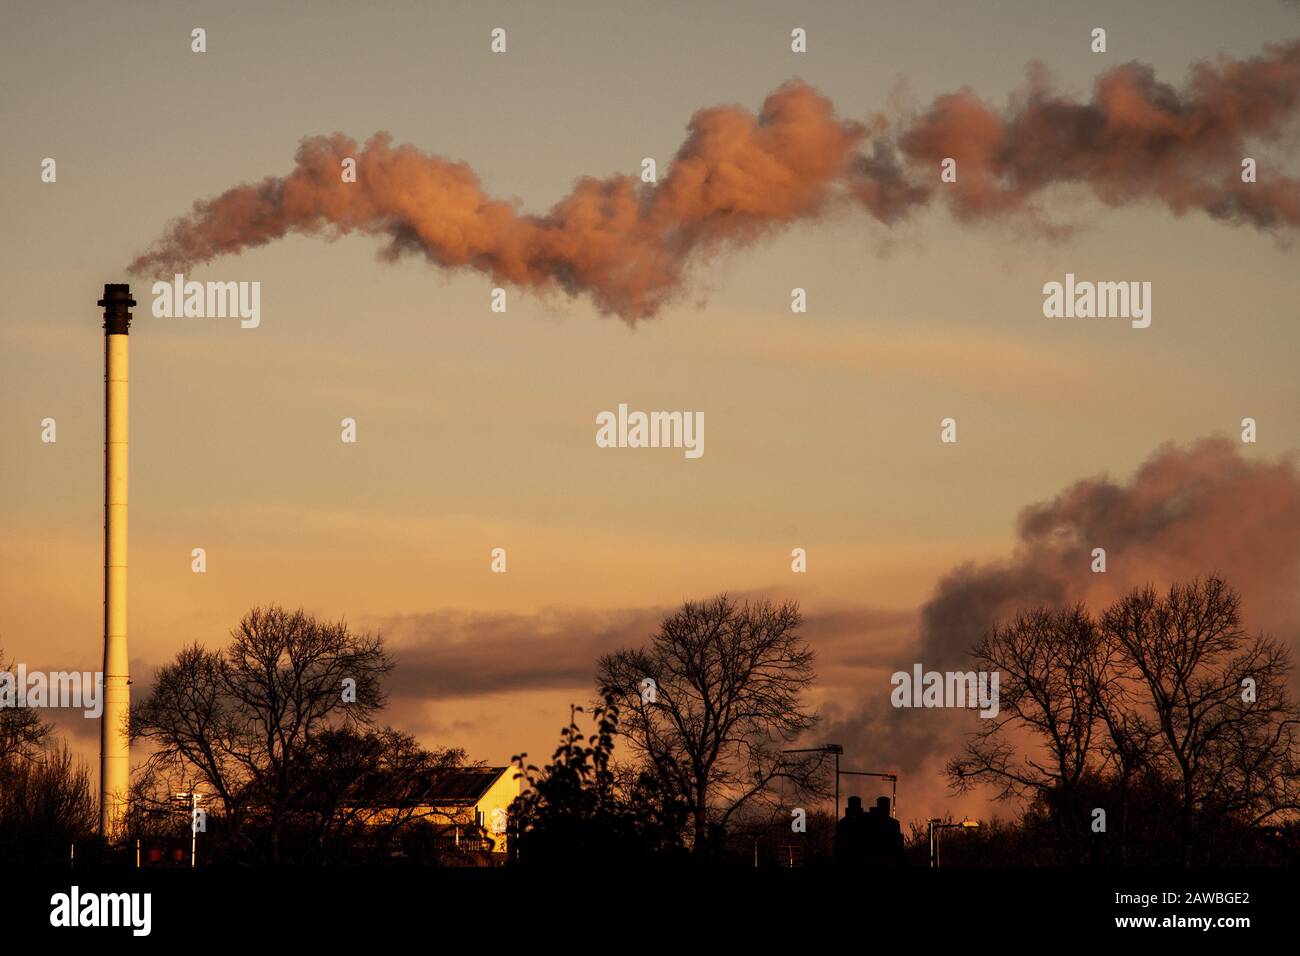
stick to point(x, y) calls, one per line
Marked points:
point(1137, 140)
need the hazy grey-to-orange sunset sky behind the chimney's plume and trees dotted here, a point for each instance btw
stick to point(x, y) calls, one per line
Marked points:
point(476, 430)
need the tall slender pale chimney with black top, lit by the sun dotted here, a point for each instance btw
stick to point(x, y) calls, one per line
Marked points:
point(115, 739)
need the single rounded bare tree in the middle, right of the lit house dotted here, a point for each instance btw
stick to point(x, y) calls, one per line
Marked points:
point(713, 700)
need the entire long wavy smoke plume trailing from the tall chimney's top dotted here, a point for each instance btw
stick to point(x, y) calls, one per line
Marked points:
point(629, 245)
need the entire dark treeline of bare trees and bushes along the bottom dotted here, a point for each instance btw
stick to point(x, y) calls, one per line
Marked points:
point(1155, 733)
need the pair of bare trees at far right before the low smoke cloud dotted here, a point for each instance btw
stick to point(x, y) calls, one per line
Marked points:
point(1163, 690)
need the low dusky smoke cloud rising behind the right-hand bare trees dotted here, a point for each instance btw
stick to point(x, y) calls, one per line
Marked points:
point(1188, 512)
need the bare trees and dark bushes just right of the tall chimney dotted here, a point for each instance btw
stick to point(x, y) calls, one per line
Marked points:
point(280, 732)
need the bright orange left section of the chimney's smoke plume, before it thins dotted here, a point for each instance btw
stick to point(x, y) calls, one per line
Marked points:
point(618, 240)
